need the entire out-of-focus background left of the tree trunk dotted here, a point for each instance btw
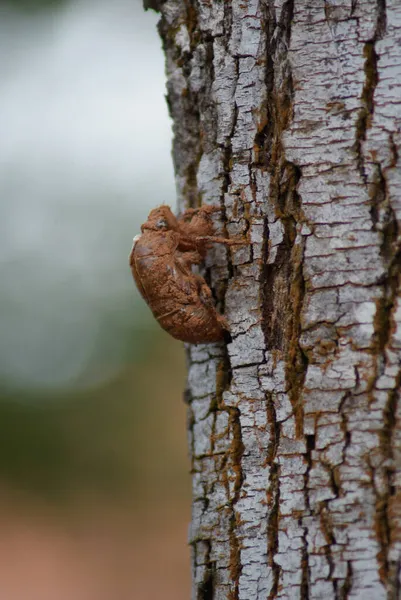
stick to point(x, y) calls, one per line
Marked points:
point(94, 477)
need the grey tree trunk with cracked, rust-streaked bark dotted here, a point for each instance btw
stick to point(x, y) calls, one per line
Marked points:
point(287, 115)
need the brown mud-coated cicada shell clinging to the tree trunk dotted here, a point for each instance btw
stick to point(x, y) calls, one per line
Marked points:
point(161, 260)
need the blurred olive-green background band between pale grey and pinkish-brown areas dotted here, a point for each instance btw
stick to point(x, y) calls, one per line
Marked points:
point(120, 440)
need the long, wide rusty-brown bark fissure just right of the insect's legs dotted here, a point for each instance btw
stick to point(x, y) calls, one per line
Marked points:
point(283, 283)
